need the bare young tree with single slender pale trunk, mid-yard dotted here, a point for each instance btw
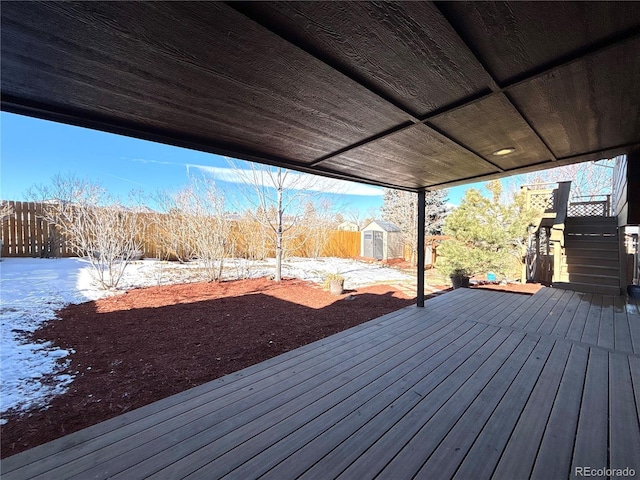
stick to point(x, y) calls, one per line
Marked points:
point(276, 197)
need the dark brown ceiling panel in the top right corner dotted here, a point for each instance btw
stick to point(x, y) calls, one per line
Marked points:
point(515, 38)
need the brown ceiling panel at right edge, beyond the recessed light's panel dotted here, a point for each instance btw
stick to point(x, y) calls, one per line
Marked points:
point(586, 106)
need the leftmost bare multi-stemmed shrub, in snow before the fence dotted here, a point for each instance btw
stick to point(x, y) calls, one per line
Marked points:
point(94, 225)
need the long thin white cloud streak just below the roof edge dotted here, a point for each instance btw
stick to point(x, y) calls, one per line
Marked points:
point(296, 181)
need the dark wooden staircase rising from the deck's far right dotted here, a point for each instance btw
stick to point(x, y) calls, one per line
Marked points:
point(590, 261)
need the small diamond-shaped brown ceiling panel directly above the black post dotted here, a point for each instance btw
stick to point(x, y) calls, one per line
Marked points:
point(416, 157)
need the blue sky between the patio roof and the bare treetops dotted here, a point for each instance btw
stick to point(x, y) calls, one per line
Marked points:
point(33, 151)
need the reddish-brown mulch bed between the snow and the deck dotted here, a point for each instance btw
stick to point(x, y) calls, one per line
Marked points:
point(136, 348)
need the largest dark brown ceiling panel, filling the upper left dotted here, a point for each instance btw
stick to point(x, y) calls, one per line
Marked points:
point(196, 68)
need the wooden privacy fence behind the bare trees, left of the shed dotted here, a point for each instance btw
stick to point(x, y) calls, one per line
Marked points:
point(26, 234)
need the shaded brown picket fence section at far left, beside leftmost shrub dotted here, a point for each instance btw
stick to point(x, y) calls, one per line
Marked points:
point(26, 234)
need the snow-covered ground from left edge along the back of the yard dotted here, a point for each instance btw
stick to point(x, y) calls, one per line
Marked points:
point(32, 289)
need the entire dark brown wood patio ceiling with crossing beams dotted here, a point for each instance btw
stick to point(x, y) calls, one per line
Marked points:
point(412, 95)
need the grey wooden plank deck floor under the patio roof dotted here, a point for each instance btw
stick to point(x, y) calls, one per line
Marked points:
point(477, 385)
